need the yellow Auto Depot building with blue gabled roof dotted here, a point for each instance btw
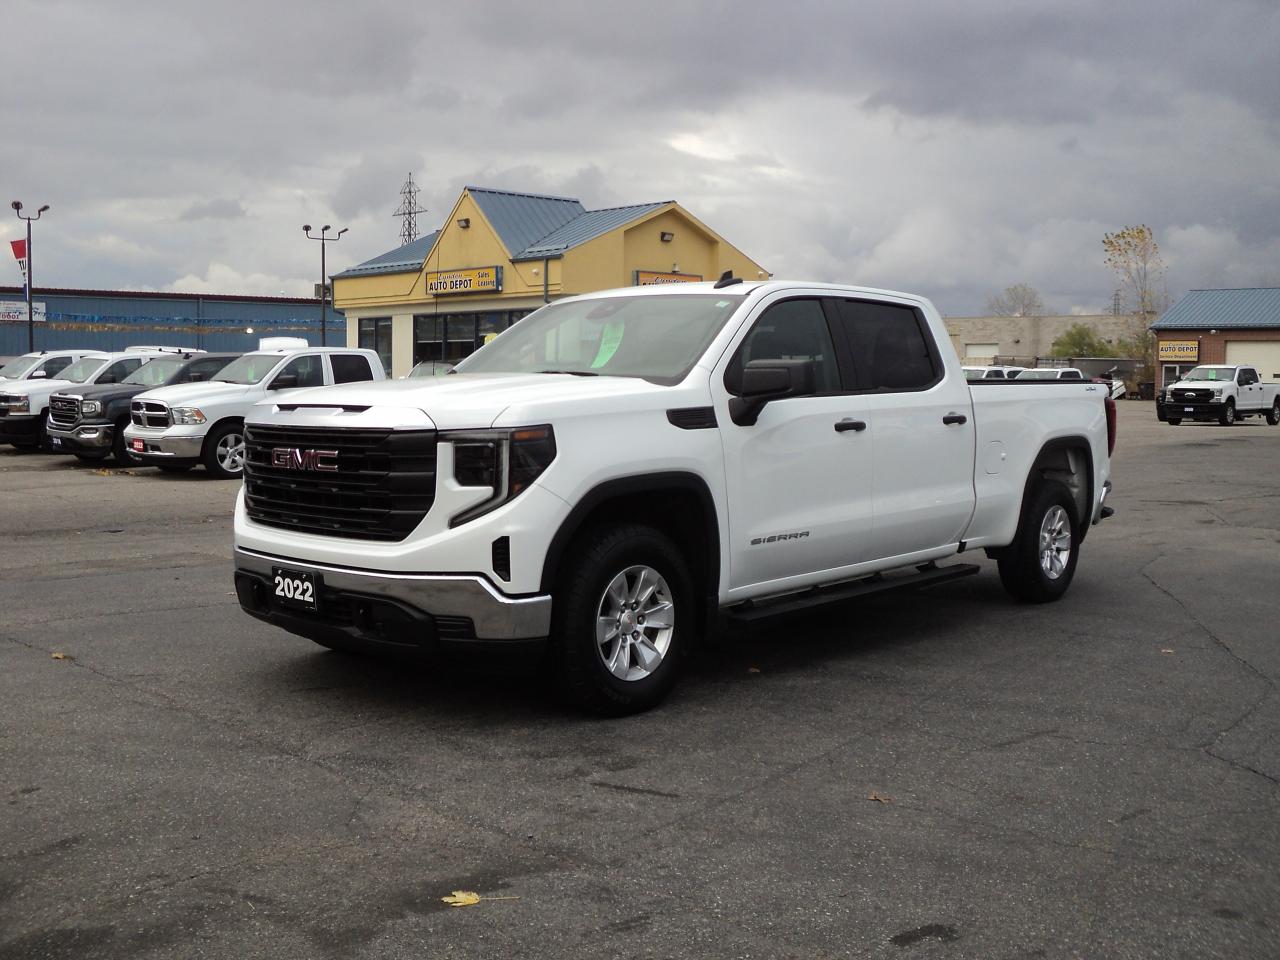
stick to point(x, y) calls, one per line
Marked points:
point(501, 255)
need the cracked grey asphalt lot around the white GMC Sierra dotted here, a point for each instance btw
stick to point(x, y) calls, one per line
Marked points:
point(945, 775)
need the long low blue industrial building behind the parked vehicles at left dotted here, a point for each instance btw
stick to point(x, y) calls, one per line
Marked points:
point(113, 321)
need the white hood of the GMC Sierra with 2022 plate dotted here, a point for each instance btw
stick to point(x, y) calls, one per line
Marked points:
point(473, 401)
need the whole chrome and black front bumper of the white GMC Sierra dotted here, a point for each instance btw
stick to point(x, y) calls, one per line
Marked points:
point(377, 610)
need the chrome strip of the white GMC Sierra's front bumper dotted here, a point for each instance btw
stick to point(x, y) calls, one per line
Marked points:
point(496, 616)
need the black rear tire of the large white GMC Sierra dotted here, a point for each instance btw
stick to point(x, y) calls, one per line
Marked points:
point(1022, 566)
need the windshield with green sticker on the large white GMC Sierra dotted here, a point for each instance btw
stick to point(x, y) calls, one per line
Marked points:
point(655, 339)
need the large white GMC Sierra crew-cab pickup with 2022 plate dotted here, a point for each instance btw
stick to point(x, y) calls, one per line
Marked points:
point(610, 478)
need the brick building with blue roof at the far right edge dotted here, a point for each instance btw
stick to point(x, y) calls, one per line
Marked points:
point(1220, 327)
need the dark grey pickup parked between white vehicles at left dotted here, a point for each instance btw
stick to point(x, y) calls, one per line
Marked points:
point(90, 422)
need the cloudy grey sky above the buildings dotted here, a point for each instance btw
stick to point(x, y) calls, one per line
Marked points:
point(945, 149)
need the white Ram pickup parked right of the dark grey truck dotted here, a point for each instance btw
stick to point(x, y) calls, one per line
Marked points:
point(176, 428)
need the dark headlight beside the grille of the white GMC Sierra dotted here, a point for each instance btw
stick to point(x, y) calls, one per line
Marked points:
point(506, 461)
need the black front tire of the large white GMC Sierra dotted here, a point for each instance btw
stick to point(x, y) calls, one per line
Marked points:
point(597, 560)
